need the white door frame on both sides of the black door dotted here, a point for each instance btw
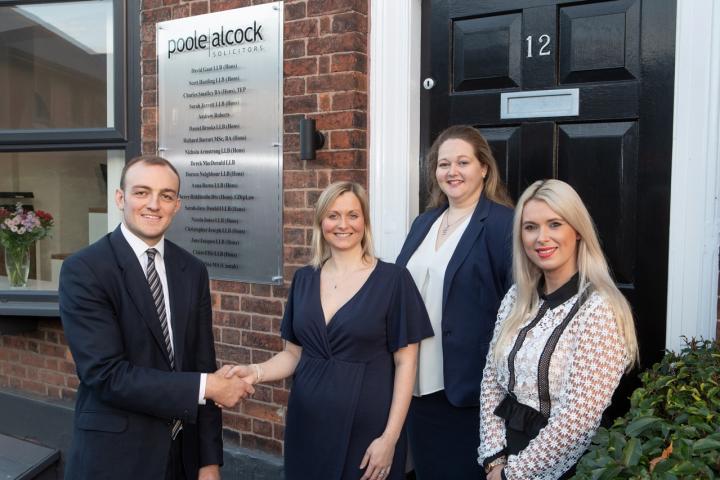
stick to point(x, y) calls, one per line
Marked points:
point(394, 159)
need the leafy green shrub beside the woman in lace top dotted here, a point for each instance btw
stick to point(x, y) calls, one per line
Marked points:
point(672, 430)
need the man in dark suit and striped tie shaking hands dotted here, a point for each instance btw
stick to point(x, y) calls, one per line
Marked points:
point(137, 316)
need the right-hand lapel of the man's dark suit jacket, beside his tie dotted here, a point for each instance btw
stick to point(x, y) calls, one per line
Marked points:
point(179, 299)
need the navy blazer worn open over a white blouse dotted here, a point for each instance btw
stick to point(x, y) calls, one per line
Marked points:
point(476, 279)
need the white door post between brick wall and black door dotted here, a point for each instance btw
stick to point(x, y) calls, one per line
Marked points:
point(394, 111)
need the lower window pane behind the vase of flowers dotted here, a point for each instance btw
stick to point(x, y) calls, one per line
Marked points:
point(72, 187)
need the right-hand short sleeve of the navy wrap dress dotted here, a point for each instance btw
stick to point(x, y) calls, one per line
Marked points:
point(407, 320)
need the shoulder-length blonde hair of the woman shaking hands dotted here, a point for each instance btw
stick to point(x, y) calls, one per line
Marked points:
point(320, 251)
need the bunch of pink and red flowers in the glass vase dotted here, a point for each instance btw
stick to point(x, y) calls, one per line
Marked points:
point(21, 228)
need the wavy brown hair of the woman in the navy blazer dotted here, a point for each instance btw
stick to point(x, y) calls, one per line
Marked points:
point(493, 186)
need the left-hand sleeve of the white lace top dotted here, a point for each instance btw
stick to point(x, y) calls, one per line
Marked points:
point(492, 392)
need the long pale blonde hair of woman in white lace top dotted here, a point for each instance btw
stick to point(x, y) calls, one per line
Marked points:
point(592, 266)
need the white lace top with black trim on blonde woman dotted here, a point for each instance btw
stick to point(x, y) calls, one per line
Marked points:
point(585, 369)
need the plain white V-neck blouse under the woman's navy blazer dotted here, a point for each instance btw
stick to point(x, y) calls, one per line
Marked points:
point(427, 267)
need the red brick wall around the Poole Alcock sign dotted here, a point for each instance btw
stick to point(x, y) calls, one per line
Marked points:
point(325, 78)
